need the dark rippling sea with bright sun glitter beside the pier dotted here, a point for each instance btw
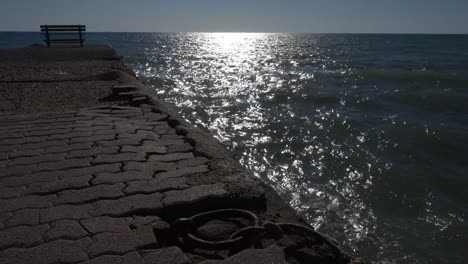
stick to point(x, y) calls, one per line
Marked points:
point(365, 135)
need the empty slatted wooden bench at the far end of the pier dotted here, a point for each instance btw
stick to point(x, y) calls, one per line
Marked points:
point(63, 34)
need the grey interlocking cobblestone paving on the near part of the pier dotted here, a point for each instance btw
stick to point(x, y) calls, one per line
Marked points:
point(89, 185)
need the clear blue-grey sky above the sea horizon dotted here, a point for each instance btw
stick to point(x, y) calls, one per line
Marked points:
point(314, 16)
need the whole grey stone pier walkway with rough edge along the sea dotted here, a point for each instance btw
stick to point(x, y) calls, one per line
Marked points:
point(99, 175)
